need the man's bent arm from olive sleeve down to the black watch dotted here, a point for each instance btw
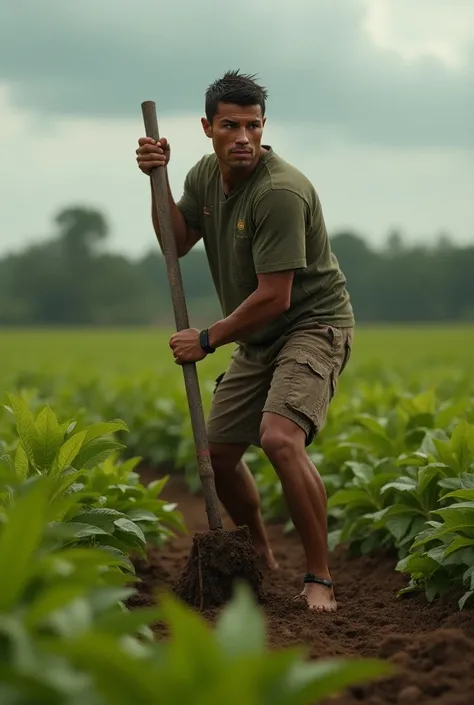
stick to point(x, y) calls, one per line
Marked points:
point(279, 247)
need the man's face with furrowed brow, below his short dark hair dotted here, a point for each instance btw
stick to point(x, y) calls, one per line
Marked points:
point(236, 134)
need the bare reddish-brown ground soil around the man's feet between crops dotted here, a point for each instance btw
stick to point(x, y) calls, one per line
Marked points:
point(431, 644)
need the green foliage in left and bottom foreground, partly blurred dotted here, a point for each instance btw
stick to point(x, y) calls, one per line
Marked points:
point(66, 635)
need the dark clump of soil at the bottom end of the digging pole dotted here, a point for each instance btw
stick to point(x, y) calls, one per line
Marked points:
point(218, 560)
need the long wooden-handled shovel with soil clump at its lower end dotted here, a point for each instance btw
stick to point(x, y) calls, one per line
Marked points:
point(218, 558)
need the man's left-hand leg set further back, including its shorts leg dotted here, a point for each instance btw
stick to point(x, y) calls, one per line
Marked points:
point(233, 425)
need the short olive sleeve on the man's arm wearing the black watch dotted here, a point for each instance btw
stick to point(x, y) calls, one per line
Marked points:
point(279, 241)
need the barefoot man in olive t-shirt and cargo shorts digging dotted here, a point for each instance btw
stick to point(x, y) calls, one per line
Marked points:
point(285, 304)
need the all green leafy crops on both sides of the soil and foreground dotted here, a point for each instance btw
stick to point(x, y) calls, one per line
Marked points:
point(397, 457)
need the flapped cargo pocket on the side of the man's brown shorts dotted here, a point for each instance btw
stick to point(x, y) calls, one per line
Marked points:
point(311, 388)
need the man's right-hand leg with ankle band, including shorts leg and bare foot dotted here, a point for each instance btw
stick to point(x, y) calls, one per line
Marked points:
point(303, 385)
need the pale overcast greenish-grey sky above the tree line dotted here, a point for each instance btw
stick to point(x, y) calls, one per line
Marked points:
point(372, 99)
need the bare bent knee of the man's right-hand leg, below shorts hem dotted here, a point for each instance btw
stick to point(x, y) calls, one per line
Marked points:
point(281, 439)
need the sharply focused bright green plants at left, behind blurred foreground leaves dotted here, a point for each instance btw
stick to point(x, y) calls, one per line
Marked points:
point(94, 498)
